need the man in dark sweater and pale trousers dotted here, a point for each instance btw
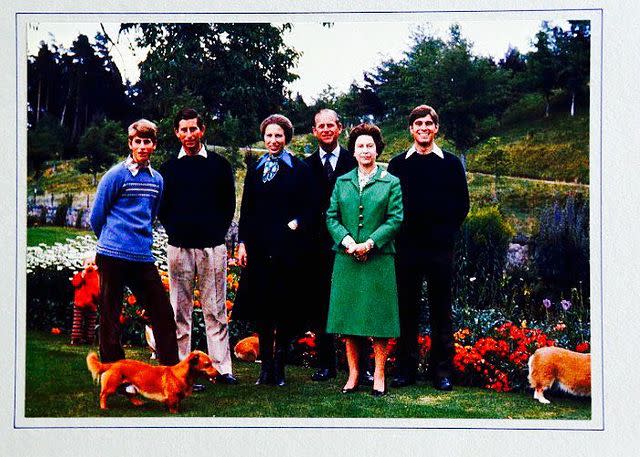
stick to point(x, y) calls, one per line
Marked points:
point(197, 207)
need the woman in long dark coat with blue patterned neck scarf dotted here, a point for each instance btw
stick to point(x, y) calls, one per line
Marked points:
point(274, 219)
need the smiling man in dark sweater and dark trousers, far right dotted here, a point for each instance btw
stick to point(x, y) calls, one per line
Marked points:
point(436, 202)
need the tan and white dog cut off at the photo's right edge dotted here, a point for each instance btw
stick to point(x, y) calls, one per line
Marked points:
point(571, 370)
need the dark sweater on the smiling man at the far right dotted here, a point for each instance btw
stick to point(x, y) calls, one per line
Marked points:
point(435, 199)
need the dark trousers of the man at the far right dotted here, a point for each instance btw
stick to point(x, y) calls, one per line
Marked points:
point(437, 269)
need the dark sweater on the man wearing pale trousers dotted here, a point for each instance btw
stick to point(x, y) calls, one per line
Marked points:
point(198, 201)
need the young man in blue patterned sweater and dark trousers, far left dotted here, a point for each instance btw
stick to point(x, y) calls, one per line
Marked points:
point(125, 206)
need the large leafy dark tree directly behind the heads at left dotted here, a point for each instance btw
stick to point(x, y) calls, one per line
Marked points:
point(236, 70)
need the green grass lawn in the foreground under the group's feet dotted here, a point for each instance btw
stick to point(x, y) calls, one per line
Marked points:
point(58, 384)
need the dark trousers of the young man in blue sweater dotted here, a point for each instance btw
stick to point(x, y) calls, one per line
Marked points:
point(145, 283)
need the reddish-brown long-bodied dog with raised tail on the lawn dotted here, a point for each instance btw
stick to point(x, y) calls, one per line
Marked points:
point(167, 384)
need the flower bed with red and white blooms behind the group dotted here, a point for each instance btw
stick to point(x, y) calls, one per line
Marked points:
point(491, 351)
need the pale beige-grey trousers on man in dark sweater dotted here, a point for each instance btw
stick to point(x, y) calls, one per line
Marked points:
point(210, 265)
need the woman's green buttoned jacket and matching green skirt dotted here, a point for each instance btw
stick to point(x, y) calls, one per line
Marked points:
point(364, 298)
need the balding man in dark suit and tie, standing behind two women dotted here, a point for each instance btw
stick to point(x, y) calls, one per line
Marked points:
point(328, 162)
